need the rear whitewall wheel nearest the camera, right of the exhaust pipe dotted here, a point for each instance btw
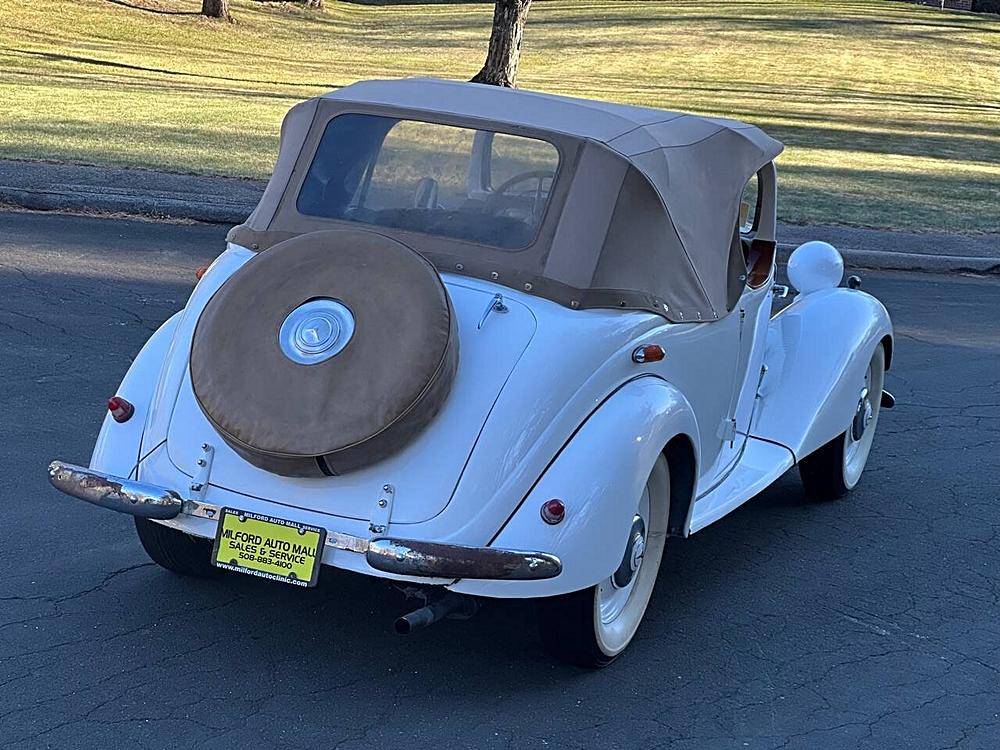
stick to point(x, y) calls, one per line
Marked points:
point(591, 627)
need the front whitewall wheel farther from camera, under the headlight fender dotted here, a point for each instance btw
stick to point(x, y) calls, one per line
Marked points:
point(835, 469)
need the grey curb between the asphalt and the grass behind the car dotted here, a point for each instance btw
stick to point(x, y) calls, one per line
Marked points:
point(218, 210)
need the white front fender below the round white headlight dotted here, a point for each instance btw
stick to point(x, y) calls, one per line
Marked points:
point(818, 350)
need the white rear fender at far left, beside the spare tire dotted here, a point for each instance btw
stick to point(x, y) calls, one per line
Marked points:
point(118, 445)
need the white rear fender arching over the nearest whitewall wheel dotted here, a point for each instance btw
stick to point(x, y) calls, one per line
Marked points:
point(599, 475)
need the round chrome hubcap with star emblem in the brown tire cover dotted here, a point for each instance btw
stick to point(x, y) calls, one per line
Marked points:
point(316, 331)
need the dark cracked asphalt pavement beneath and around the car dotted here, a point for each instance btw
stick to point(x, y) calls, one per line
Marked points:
point(867, 623)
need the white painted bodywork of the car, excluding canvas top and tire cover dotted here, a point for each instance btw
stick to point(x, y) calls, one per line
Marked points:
point(547, 403)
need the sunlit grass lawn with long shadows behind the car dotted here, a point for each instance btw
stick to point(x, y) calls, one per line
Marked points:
point(890, 111)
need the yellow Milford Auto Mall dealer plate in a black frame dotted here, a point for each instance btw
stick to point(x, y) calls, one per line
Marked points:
point(267, 547)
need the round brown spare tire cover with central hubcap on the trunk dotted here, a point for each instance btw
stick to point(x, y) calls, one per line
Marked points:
point(350, 405)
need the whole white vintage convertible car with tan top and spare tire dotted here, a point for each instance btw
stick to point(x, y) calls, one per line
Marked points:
point(498, 343)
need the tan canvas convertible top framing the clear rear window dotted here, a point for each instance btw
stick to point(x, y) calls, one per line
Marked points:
point(642, 212)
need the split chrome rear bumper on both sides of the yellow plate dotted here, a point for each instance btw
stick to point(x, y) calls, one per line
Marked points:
point(407, 557)
